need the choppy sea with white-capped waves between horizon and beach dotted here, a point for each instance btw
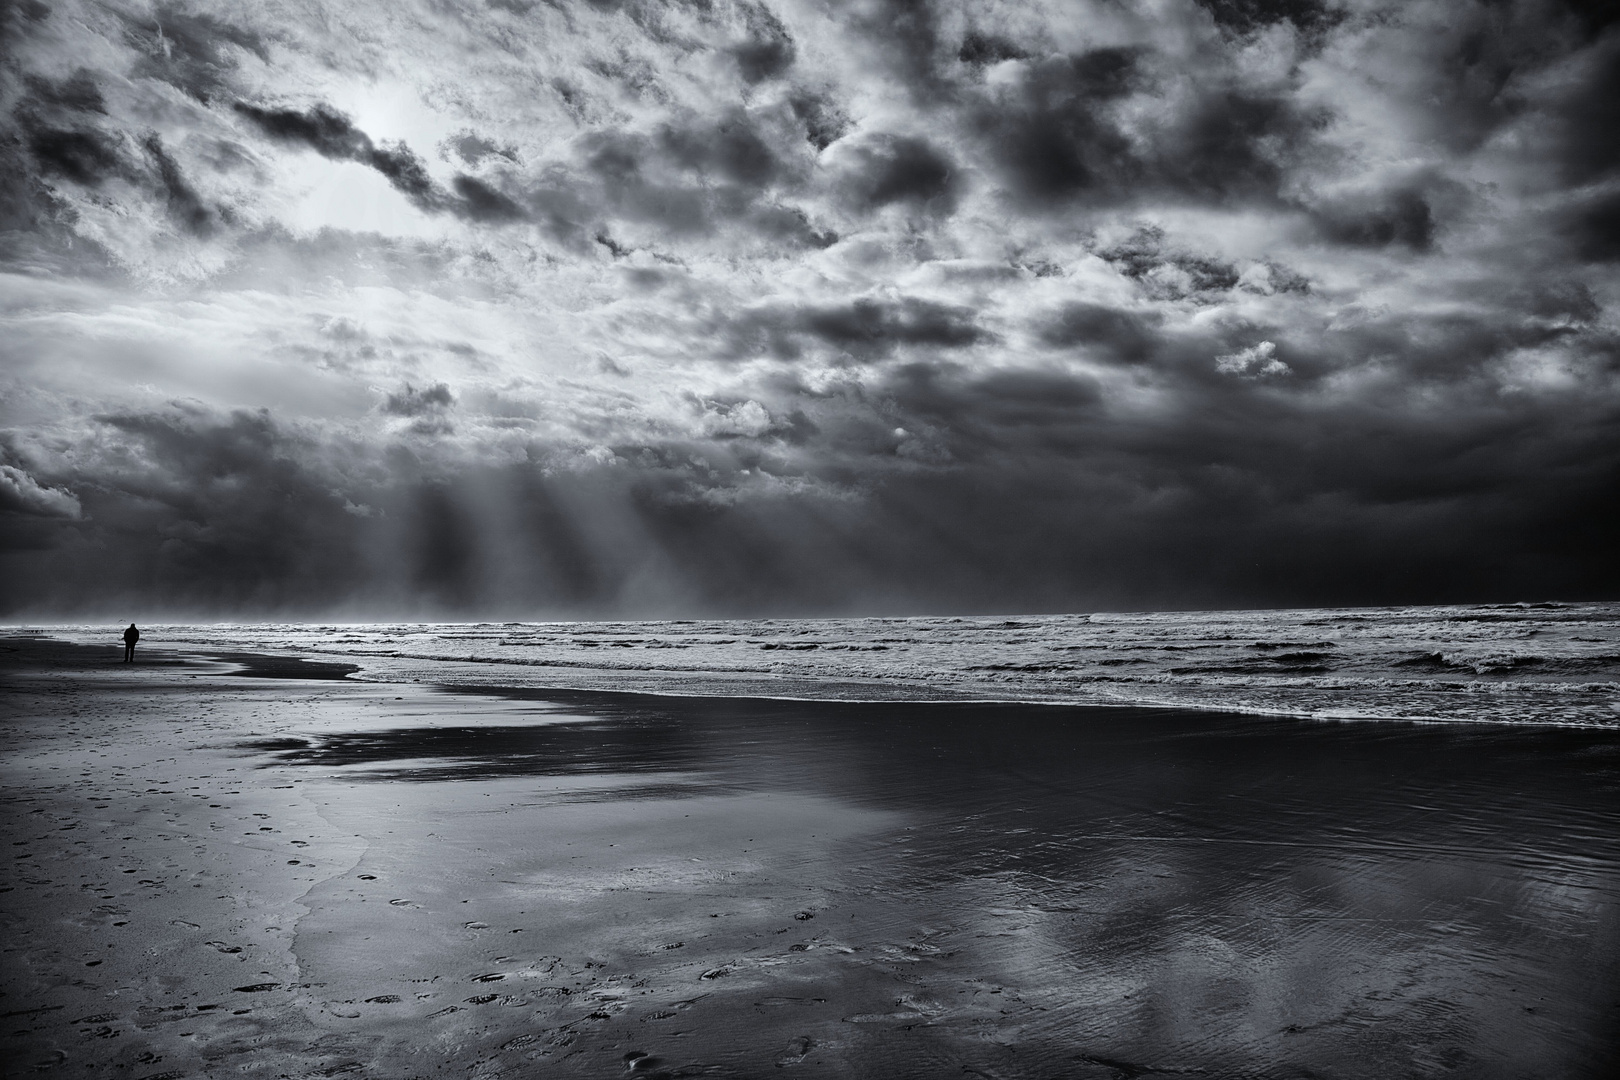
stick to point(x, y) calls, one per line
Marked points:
point(1496, 663)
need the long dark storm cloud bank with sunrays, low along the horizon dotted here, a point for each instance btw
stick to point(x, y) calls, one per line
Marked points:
point(1208, 504)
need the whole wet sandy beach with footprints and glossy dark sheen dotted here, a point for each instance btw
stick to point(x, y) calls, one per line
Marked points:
point(289, 874)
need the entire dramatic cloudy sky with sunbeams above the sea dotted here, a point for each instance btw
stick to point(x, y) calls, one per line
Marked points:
point(526, 308)
